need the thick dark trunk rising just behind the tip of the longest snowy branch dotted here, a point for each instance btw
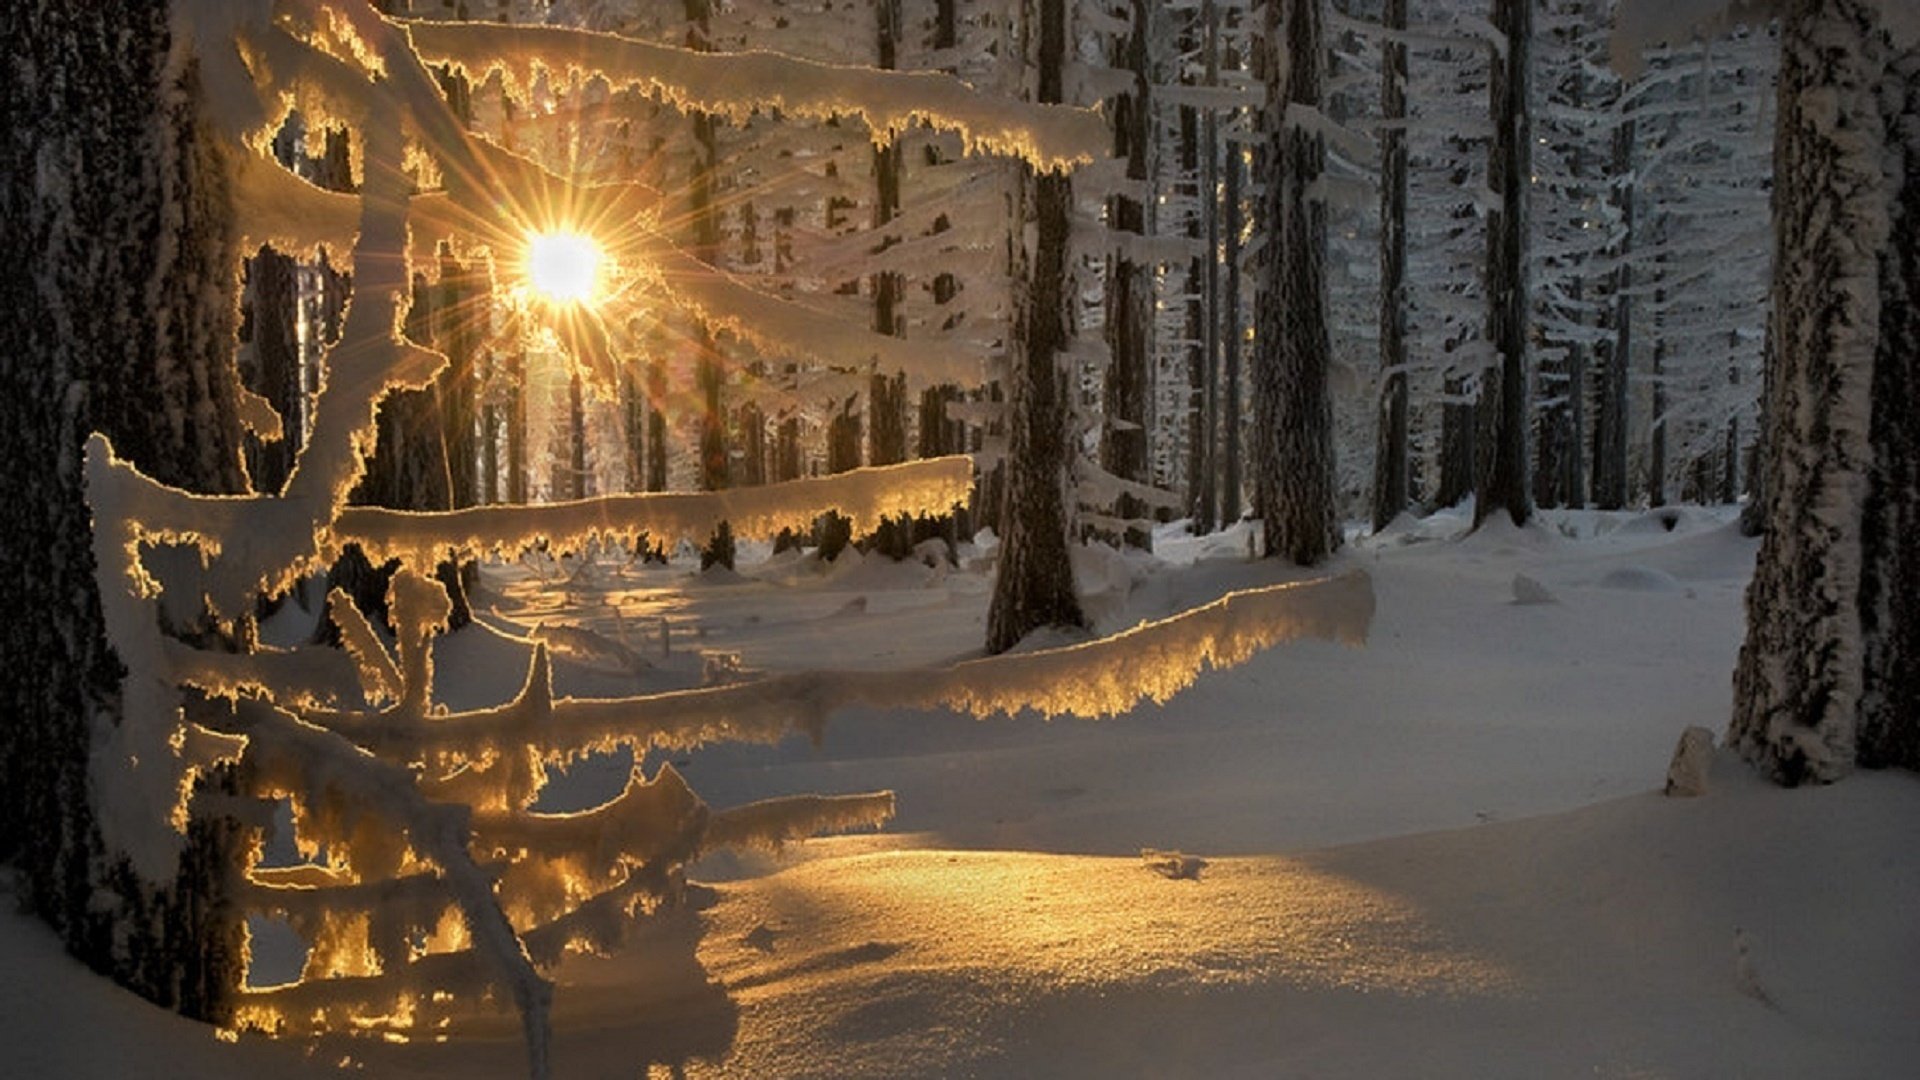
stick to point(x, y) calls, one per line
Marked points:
point(1293, 405)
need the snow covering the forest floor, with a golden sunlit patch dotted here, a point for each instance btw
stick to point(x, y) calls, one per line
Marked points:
point(1437, 856)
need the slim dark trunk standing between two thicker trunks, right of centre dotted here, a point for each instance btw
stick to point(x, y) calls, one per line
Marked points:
point(1391, 483)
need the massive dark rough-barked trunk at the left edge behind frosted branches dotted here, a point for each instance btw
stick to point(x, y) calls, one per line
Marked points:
point(122, 324)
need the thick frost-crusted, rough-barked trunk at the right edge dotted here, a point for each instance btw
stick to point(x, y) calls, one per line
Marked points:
point(1829, 677)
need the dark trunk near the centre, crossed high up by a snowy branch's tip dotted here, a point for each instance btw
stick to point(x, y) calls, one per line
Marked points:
point(1036, 581)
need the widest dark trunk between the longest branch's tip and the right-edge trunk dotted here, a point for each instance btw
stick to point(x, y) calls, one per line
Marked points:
point(1504, 397)
